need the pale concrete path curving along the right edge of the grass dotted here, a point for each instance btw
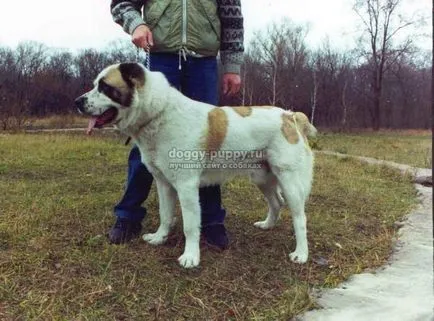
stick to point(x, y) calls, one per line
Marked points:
point(403, 289)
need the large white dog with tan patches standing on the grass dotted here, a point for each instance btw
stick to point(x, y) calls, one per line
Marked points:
point(187, 144)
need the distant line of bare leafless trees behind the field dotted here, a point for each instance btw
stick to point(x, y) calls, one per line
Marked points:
point(338, 89)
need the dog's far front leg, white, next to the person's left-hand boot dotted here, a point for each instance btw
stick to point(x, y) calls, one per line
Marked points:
point(167, 198)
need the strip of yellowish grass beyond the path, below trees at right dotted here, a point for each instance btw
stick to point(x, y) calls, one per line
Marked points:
point(406, 147)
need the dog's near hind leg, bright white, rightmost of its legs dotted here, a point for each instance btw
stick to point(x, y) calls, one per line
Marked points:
point(295, 193)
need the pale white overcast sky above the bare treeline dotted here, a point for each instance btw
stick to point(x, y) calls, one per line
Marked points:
point(80, 24)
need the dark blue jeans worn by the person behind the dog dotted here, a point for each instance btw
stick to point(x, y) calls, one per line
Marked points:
point(197, 79)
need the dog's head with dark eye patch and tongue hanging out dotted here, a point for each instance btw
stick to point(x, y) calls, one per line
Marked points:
point(114, 93)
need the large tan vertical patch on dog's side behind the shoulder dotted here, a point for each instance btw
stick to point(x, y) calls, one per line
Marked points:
point(217, 129)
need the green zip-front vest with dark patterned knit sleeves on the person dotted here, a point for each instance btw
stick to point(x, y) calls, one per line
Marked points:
point(203, 27)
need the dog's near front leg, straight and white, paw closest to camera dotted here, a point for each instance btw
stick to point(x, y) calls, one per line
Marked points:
point(188, 194)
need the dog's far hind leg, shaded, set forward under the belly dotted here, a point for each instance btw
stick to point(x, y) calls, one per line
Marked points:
point(274, 204)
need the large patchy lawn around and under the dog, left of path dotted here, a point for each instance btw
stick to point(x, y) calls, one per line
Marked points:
point(57, 194)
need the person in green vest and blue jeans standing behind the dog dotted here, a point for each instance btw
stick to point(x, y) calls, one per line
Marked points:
point(184, 38)
